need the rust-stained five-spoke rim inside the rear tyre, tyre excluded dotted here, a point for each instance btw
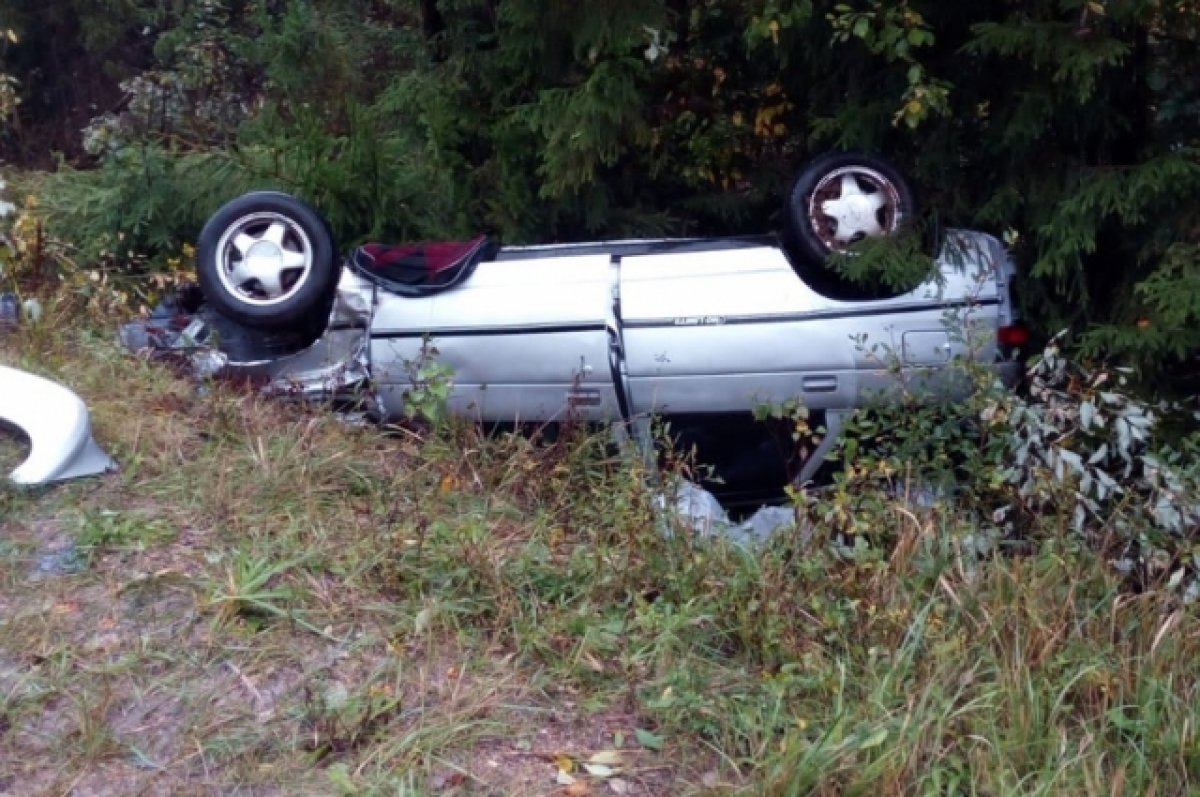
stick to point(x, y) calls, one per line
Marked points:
point(853, 203)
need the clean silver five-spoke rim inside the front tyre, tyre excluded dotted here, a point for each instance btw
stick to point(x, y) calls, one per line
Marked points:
point(265, 259)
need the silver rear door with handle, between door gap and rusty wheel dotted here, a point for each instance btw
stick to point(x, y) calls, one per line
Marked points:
point(729, 329)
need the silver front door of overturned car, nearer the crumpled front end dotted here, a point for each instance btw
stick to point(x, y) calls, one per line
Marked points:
point(525, 340)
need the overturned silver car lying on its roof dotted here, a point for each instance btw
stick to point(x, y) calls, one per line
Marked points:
point(604, 332)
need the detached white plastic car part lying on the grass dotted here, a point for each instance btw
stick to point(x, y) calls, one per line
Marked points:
point(58, 427)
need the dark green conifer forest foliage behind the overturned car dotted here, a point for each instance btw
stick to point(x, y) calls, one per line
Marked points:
point(1072, 128)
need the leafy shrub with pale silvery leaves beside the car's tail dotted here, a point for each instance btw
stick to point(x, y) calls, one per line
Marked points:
point(1072, 456)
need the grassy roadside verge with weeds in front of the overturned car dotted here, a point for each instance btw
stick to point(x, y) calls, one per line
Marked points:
point(266, 601)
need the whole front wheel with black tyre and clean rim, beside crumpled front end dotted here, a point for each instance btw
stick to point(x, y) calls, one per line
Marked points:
point(268, 261)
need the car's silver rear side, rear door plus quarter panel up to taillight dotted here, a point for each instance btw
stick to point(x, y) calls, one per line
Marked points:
point(730, 329)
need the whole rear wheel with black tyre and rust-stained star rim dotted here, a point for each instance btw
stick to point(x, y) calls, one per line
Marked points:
point(842, 199)
